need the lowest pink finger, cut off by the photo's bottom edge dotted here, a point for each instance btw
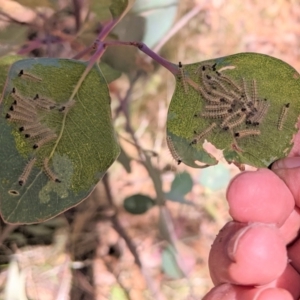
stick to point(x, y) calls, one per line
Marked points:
point(233, 292)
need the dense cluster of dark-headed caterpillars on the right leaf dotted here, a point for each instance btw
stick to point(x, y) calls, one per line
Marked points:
point(231, 105)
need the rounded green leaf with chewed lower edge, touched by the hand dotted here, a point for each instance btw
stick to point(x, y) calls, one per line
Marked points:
point(245, 104)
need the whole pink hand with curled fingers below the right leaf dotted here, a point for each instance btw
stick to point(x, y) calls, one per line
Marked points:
point(257, 255)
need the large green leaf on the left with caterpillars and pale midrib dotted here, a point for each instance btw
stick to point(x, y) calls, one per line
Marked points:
point(56, 135)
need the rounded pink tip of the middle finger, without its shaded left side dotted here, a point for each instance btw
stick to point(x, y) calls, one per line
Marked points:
point(258, 255)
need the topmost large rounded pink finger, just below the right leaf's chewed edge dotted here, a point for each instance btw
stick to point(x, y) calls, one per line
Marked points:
point(259, 196)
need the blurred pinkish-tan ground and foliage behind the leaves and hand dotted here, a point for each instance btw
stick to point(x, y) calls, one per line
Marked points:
point(120, 243)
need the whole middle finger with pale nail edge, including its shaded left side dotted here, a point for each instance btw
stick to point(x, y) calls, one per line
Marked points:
point(247, 254)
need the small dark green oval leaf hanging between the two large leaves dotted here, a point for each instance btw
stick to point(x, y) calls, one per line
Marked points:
point(138, 204)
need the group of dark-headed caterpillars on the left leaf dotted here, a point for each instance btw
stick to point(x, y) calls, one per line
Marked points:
point(25, 113)
